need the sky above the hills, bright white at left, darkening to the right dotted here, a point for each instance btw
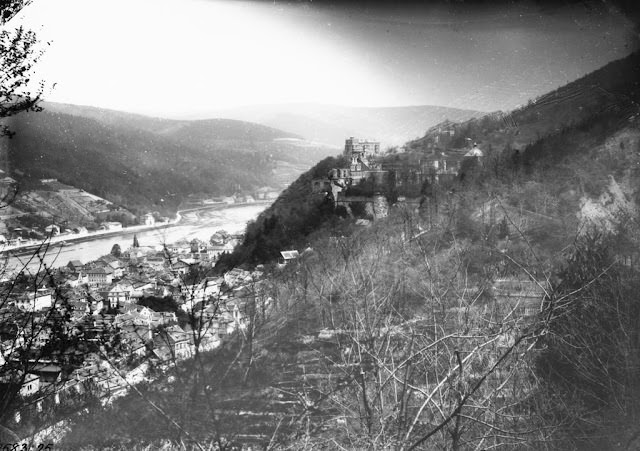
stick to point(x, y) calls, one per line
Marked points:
point(190, 57)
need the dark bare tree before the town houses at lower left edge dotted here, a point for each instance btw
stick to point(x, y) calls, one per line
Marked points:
point(36, 333)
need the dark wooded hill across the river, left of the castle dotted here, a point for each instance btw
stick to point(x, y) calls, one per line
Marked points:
point(146, 162)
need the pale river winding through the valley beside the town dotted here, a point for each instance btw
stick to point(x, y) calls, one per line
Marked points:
point(201, 224)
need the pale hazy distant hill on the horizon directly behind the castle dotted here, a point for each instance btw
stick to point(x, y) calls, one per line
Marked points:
point(330, 124)
